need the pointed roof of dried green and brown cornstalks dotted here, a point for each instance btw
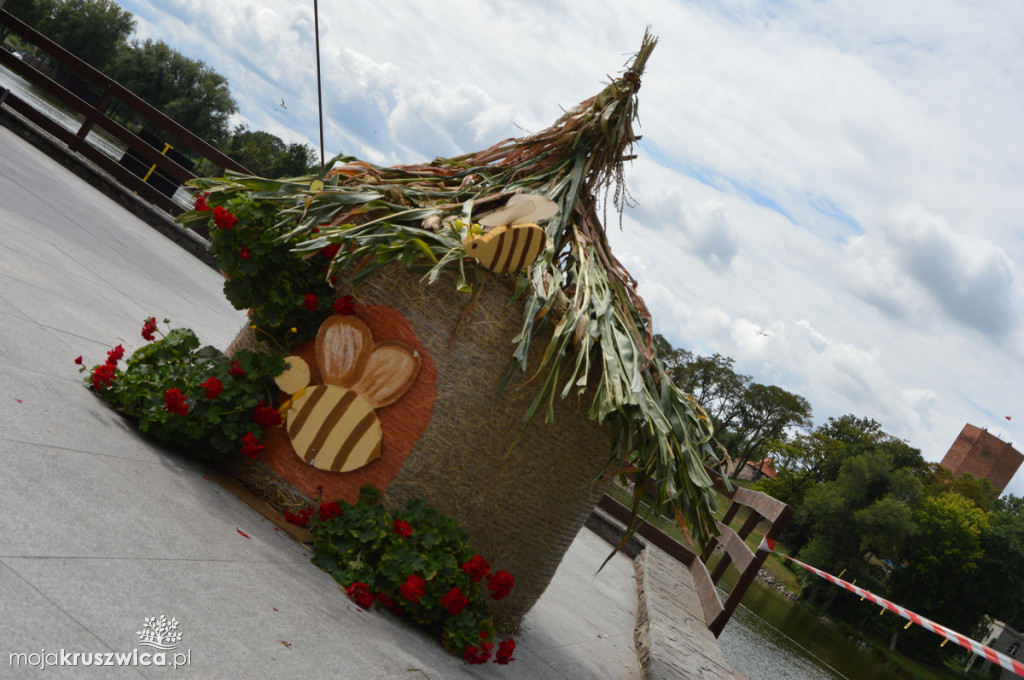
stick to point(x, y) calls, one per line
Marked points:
point(602, 341)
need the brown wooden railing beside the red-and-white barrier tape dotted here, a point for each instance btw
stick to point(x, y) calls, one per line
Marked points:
point(766, 516)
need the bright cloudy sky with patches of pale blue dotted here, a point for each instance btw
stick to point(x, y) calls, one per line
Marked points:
point(828, 192)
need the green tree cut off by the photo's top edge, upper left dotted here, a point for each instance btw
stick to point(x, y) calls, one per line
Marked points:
point(94, 31)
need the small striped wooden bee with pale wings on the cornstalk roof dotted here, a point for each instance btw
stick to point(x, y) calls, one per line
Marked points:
point(516, 241)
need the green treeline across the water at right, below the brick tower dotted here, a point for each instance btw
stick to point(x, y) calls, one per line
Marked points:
point(869, 506)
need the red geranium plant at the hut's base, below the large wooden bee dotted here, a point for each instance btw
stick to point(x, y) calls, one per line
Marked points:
point(417, 564)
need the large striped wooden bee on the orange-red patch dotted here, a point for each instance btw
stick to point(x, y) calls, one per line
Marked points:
point(334, 427)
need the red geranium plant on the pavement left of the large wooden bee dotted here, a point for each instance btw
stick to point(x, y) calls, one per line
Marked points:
point(192, 397)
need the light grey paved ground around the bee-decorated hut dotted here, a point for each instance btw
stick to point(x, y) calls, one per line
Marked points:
point(102, 529)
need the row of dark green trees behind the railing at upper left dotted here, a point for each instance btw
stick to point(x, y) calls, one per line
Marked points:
point(100, 32)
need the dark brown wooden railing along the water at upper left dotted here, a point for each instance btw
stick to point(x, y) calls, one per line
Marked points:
point(158, 160)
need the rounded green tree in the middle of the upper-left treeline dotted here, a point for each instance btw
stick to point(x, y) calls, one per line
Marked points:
point(187, 91)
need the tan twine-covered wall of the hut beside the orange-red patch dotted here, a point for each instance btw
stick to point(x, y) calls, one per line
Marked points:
point(522, 495)
